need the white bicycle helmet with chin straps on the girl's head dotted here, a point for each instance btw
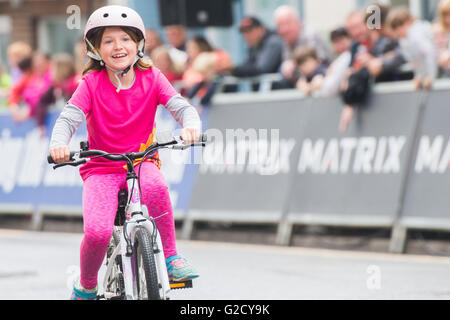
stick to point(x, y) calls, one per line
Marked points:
point(115, 16)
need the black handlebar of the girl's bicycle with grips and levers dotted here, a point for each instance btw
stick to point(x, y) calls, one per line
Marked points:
point(174, 144)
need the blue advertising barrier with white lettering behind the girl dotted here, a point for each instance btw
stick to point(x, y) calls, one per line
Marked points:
point(31, 188)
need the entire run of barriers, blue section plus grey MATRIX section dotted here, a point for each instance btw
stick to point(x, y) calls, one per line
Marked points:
point(278, 158)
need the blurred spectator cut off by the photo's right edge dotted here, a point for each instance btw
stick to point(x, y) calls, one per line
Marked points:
point(441, 31)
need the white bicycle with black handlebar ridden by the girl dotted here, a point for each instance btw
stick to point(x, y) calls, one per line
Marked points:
point(135, 263)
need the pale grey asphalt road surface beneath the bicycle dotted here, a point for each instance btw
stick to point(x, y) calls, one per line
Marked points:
point(42, 265)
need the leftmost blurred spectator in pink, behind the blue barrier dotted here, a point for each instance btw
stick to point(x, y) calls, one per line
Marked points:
point(30, 87)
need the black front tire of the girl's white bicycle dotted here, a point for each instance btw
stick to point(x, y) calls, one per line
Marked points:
point(145, 265)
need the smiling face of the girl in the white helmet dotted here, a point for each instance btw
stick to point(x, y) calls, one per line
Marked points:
point(117, 48)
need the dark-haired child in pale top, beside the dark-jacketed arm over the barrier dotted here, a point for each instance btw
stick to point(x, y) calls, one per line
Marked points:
point(338, 69)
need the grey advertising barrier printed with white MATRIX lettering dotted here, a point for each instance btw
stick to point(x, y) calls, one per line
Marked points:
point(366, 177)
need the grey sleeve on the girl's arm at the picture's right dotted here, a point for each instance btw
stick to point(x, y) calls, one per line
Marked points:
point(183, 112)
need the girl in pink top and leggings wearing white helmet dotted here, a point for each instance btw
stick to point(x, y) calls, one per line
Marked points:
point(118, 97)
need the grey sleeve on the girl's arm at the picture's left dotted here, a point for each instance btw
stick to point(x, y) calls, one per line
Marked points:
point(67, 123)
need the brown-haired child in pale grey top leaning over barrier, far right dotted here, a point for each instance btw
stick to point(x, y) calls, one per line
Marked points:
point(417, 42)
